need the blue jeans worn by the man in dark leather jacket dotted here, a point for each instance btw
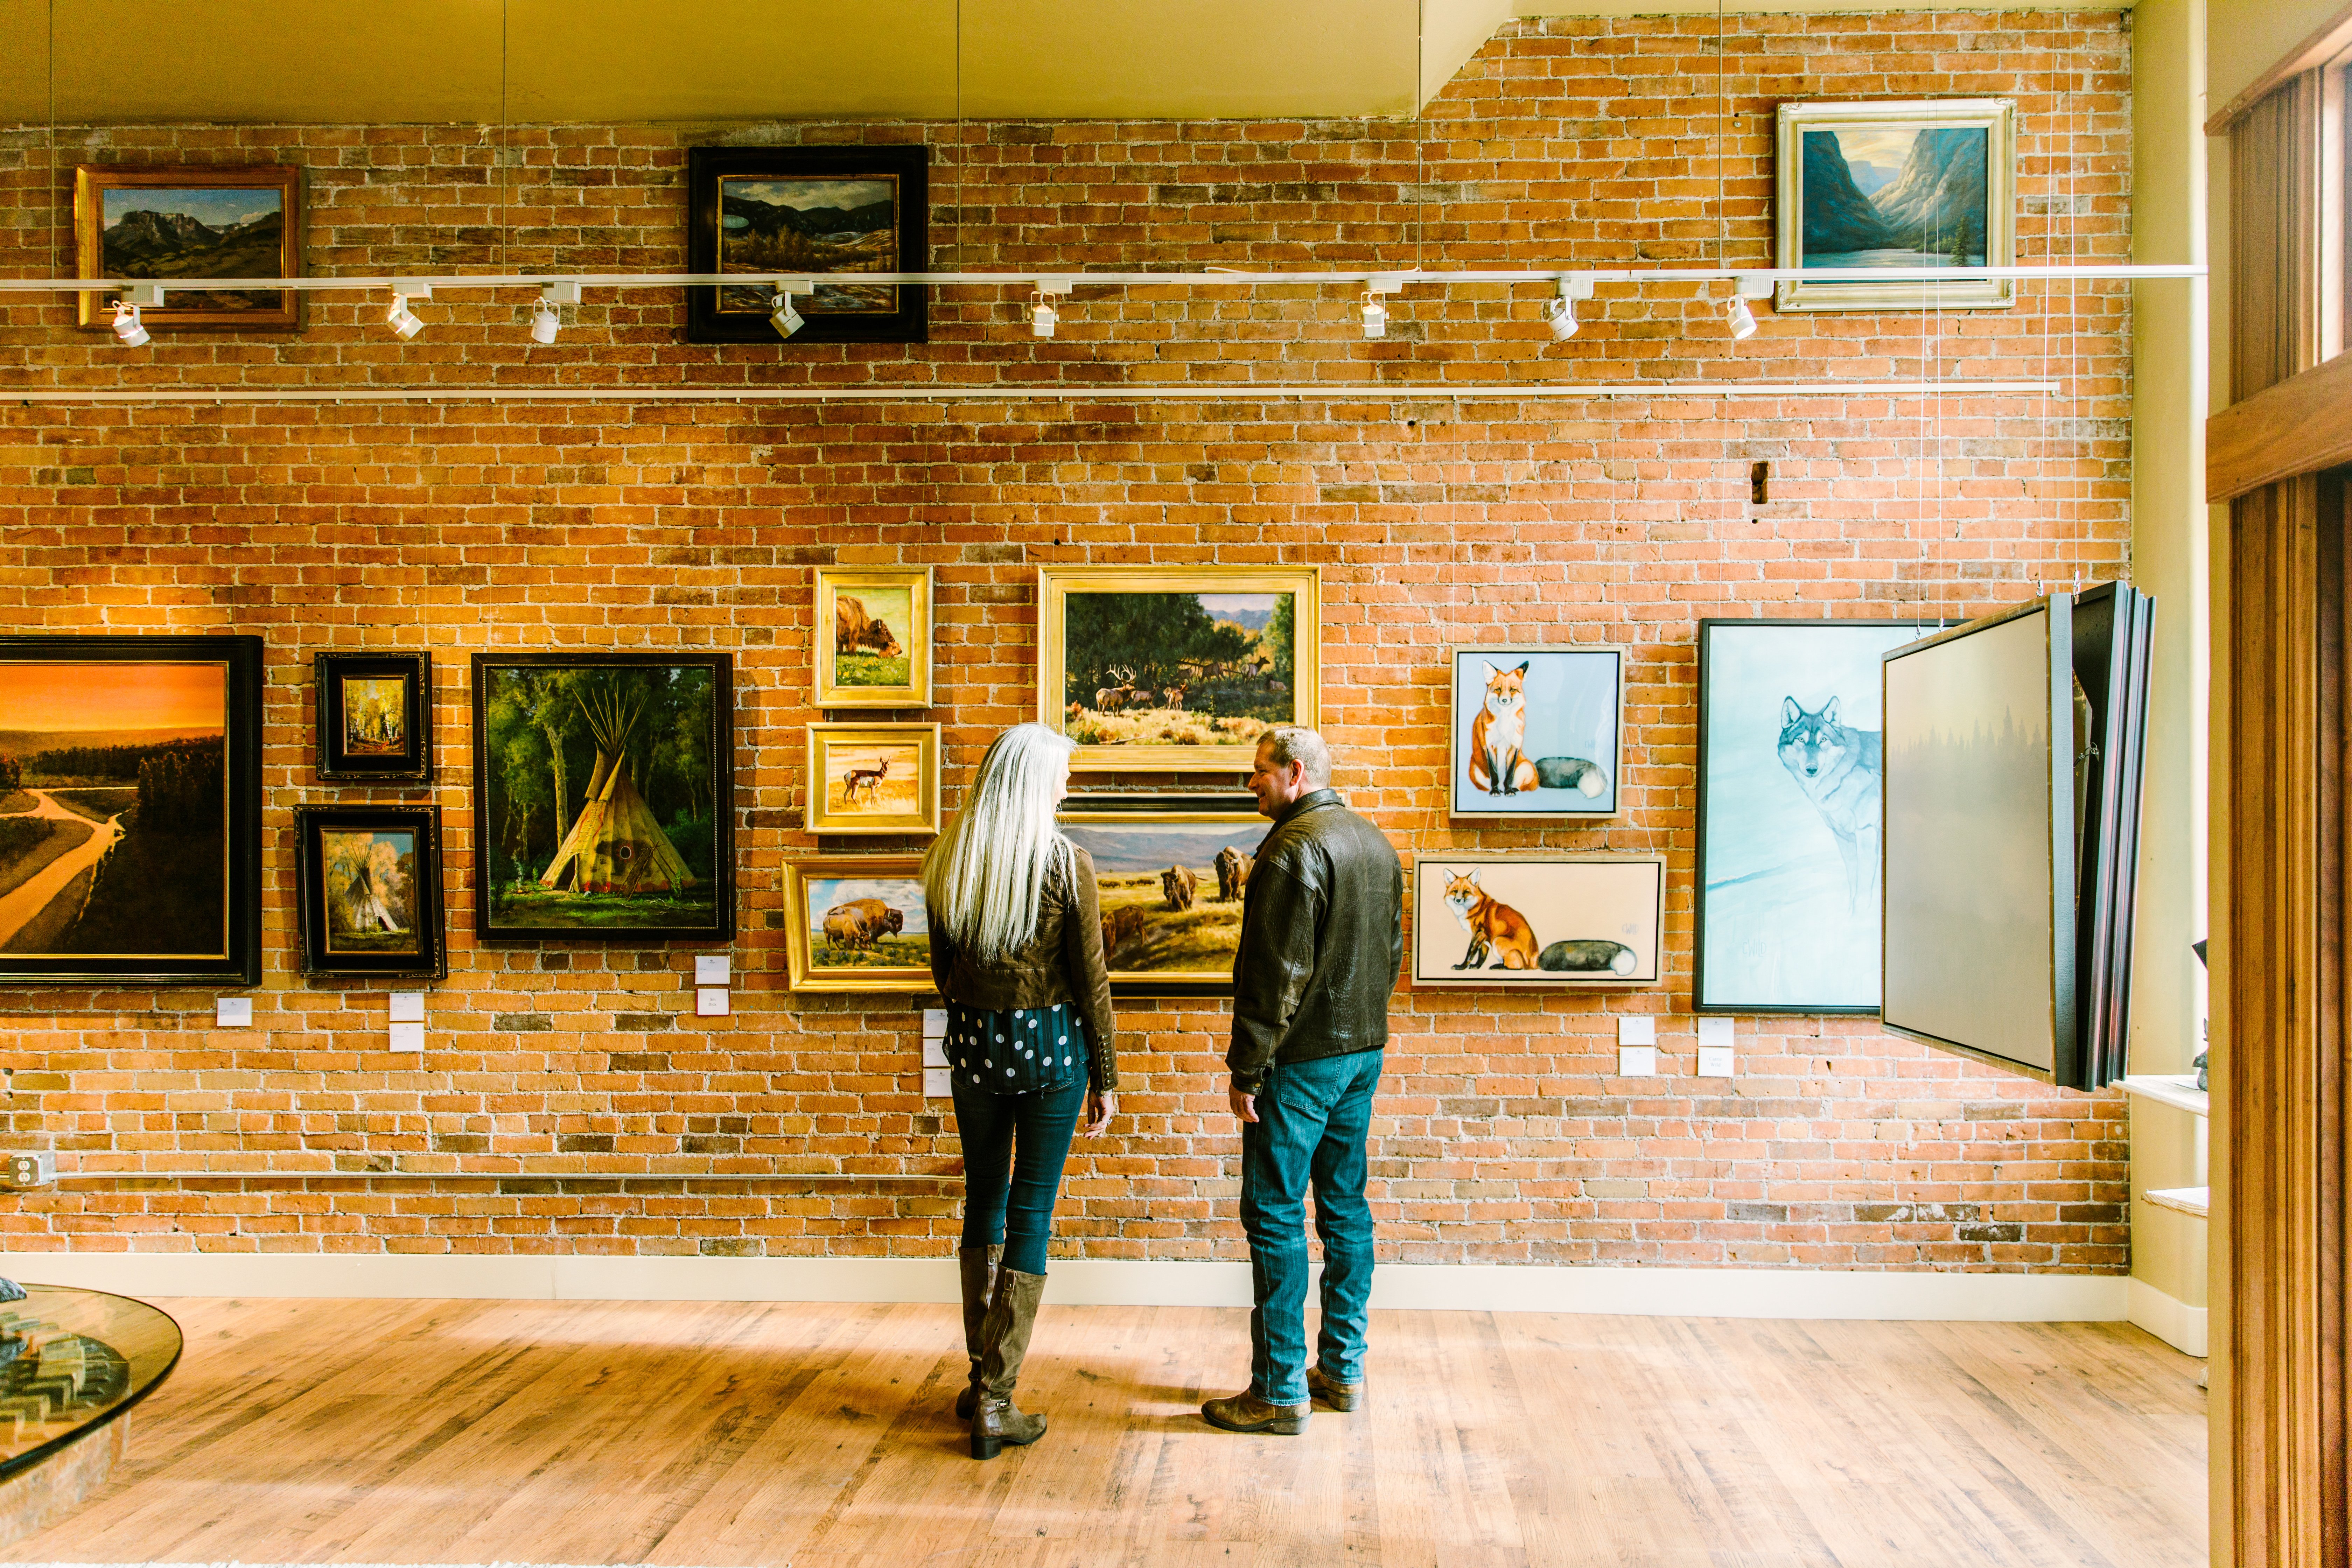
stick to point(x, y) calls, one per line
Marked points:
point(1311, 1127)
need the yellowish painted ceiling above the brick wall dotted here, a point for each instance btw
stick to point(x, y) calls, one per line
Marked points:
point(763, 60)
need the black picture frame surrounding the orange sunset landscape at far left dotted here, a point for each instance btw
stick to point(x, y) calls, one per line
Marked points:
point(246, 657)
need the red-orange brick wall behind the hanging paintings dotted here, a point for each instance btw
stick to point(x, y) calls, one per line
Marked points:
point(575, 1083)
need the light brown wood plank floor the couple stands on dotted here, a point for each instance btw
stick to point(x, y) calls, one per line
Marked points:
point(622, 1433)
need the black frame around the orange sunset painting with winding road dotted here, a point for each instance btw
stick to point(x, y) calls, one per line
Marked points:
point(241, 960)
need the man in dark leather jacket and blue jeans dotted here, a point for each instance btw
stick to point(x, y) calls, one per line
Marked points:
point(1323, 939)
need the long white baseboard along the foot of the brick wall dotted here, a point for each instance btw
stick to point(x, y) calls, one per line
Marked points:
point(1111, 1282)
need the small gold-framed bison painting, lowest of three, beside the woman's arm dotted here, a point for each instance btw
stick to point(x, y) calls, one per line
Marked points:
point(855, 925)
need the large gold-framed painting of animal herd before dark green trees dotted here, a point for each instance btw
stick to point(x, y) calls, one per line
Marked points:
point(1177, 669)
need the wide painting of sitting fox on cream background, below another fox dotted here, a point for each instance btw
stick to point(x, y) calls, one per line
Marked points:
point(1539, 920)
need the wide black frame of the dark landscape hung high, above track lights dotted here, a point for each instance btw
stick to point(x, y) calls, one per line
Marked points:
point(904, 168)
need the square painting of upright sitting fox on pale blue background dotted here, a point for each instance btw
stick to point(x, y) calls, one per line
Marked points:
point(1537, 730)
